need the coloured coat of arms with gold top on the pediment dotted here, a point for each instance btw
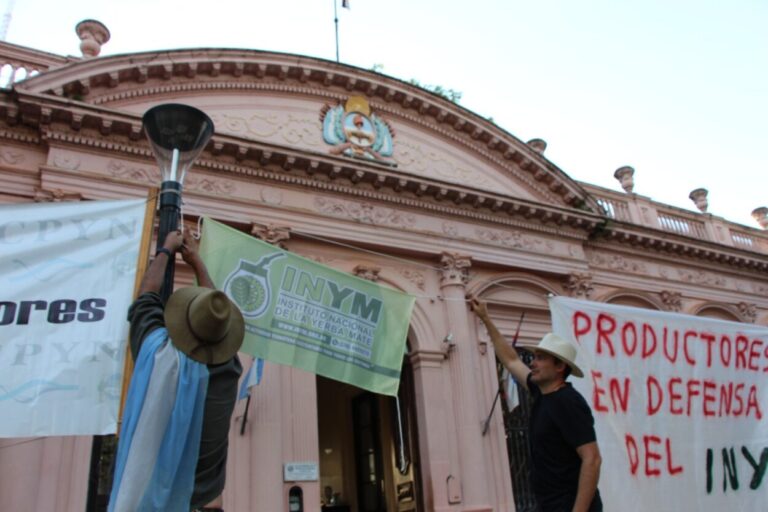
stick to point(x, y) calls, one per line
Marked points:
point(355, 132)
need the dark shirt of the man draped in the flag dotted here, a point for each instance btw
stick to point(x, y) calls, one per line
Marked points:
point(146, 315)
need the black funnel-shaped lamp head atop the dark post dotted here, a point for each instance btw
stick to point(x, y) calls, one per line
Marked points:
point(177, 133)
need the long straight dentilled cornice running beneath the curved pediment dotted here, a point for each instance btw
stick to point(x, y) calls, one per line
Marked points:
point(67, 122)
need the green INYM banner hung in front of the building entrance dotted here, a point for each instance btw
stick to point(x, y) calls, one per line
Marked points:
point(309, 316)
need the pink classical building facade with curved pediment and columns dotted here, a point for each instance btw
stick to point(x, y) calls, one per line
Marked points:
point(449, 204)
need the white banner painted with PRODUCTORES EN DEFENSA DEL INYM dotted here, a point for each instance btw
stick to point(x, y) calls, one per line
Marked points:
point(678, 405)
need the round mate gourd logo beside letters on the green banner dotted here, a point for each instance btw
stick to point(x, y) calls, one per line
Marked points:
point(248, 285)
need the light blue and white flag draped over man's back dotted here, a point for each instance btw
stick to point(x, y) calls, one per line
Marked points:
point(160, 440)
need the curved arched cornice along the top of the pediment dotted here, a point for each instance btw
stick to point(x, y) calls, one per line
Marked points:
point(112, 79)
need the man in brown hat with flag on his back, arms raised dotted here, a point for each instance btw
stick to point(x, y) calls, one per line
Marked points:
point(173, 446)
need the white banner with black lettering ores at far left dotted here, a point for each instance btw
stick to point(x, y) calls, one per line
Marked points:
point(67, 275)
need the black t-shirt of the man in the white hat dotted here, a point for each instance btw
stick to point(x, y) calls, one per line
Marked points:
point(560, 422)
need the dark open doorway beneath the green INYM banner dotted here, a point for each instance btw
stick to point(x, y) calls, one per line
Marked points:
point(368, 448)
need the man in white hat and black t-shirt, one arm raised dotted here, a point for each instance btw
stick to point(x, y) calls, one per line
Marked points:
point(565, 456)
